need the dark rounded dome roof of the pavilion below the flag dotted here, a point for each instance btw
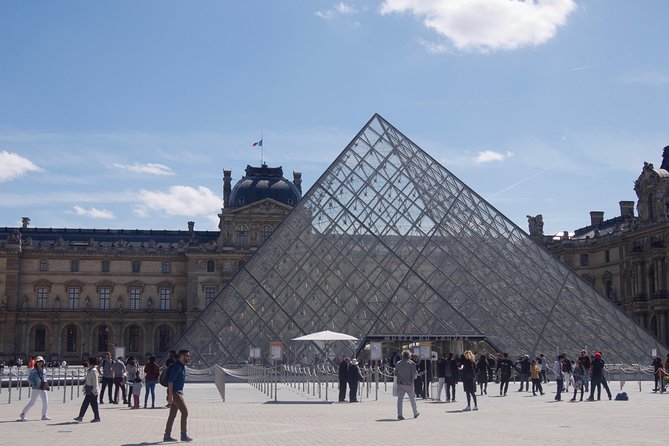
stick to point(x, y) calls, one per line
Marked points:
point(263, 182)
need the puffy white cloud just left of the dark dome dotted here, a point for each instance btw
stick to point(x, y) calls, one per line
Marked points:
point(179, 200)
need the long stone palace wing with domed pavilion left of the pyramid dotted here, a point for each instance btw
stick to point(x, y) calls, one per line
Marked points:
point(69, 293)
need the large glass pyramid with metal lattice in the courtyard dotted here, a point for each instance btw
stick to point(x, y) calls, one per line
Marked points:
point(389, 242)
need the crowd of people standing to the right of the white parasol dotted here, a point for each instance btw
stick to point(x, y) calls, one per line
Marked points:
point(584, 375)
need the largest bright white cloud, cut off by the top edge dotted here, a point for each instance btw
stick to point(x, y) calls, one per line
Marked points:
point(486, 25)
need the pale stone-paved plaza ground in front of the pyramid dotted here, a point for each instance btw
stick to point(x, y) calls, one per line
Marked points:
point(251, 417)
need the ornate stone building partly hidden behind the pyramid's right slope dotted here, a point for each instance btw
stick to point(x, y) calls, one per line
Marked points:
point(626, 257)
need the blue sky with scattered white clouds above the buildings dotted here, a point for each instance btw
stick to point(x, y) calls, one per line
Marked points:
point(124, 114)
